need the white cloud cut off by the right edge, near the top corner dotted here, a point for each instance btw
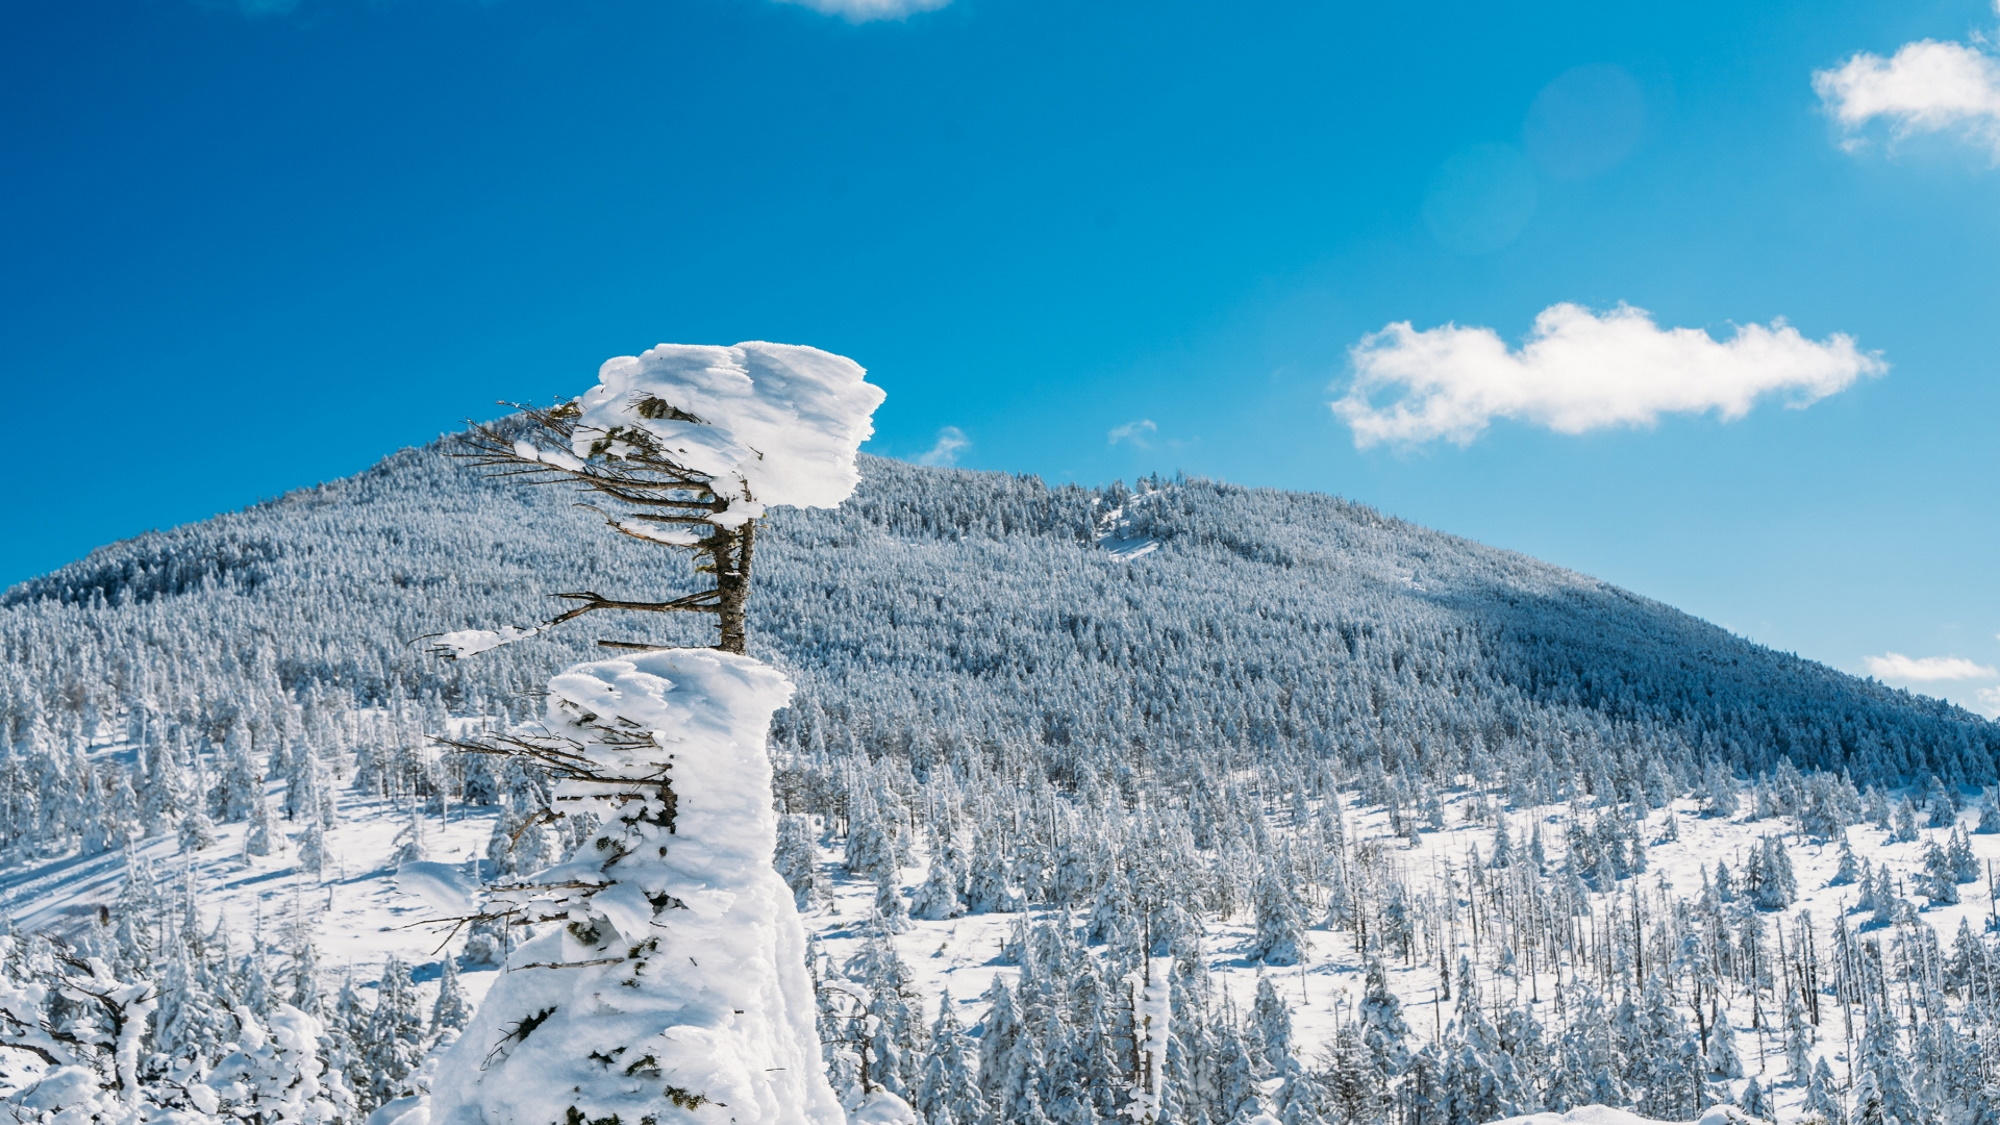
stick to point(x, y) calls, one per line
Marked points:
point(1925, 87)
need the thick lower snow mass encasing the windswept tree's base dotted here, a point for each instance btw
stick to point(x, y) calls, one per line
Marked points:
point(717, 1020)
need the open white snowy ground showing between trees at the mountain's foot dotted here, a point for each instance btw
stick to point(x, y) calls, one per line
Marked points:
point(361, 916)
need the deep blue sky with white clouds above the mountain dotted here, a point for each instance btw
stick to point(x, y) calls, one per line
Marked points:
point(251, 247)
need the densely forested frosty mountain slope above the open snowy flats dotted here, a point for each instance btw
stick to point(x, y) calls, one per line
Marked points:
point(1265, 628)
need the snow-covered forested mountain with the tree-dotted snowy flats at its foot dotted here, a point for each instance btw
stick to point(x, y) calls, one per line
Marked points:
point(1411, 828)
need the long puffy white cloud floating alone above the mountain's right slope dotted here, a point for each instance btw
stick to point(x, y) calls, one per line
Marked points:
point(1581, 371)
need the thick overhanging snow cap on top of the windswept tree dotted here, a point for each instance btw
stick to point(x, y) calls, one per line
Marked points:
point(781, 419)
